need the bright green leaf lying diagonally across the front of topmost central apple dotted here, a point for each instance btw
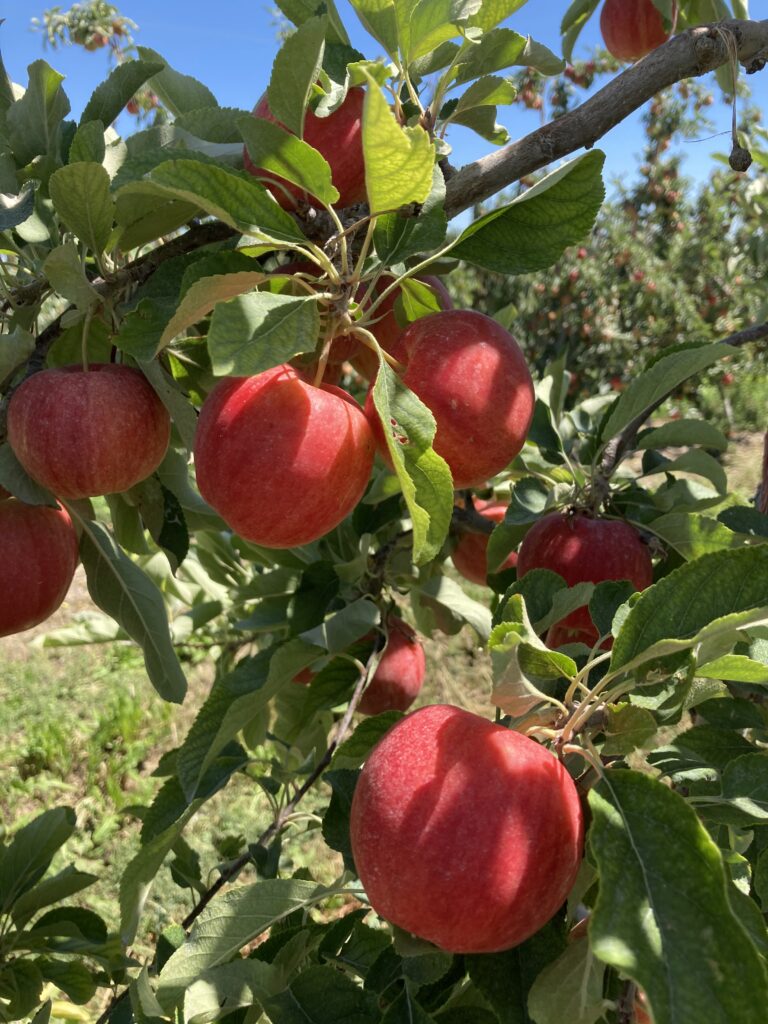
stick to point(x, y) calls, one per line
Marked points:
point(275, 150)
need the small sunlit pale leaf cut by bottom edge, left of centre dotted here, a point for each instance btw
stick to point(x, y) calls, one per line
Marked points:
point(229, 988)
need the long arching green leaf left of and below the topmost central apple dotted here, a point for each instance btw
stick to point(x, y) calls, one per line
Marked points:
point(231, 196)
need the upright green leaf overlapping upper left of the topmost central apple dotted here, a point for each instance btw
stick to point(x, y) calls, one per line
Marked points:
point(294, 73)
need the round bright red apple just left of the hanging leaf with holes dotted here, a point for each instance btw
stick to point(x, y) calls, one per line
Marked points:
point(283, 462)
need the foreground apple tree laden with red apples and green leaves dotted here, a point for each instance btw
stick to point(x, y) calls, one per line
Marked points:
point(236, 388)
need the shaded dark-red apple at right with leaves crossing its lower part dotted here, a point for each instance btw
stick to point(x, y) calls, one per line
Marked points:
point(583, 548)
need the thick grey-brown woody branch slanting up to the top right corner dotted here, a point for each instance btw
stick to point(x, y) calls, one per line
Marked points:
point(689, 56)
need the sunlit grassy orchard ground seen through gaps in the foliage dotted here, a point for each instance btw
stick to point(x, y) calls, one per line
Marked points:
point(82, 727)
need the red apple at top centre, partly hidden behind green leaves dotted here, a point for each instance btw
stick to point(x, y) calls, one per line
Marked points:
point(338, 139)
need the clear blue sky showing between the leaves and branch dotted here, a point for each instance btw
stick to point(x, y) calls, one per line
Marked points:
point(231, 46)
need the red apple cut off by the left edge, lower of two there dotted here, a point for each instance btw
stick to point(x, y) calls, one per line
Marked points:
point(39, 554)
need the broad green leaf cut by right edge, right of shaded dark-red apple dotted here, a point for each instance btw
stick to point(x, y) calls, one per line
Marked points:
point(713, 595)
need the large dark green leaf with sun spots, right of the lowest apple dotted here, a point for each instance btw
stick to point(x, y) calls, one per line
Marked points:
point(687, 950)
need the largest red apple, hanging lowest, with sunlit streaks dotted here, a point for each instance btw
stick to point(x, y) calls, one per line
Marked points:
point(464, 833)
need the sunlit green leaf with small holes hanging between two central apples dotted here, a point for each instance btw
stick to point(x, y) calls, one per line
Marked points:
point(425, 478)
